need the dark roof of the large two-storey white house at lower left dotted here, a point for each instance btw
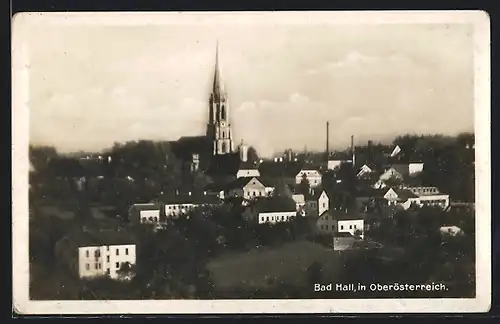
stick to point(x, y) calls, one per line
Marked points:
point(100, 237)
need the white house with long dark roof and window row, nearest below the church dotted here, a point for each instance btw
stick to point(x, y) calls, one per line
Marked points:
point(270, 210)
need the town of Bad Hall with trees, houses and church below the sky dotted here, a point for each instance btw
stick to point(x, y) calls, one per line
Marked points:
point(206, 218)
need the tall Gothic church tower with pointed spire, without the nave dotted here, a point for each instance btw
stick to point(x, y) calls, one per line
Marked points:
point(219, 128)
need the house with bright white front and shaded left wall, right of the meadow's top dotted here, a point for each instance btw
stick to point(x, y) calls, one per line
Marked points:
point(335, 221)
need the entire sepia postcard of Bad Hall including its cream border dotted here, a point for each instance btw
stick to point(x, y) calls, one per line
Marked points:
point(251, 162)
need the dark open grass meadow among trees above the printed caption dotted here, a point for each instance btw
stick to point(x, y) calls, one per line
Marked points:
point(287, 263)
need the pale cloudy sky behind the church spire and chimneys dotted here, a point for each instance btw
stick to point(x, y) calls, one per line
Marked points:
point(91, 85)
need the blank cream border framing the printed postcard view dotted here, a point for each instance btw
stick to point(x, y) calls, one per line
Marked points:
point(20, 133)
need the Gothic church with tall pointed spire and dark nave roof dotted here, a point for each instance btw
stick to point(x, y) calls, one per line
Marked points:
point(215, 152)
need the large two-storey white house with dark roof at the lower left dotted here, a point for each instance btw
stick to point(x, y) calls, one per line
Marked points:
point(98, 253)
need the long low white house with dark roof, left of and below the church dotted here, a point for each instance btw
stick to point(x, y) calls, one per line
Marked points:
point(182, 204)
